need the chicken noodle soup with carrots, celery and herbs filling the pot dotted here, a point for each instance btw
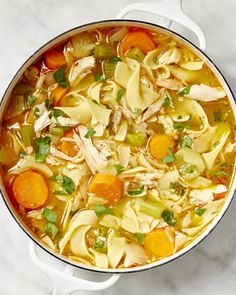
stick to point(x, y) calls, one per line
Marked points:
point(117, 147)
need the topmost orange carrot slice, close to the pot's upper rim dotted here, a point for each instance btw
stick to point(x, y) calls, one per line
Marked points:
point(137, 38)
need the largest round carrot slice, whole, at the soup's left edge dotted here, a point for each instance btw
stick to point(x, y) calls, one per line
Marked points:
point(30, 189)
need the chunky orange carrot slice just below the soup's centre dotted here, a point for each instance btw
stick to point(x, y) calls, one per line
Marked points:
point(107, 186)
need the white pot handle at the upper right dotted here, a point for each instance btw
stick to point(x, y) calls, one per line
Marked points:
point(170, 10)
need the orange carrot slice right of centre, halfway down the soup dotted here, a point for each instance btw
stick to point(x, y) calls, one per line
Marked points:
point(159, 145)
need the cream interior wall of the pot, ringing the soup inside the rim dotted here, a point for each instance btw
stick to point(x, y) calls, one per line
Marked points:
point(104, 24)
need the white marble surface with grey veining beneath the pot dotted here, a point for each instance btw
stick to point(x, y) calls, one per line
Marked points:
point(208, 269)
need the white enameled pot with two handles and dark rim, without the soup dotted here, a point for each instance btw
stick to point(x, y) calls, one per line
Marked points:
point(169, 10)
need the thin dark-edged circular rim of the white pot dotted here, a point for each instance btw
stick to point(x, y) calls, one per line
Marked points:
point(210, 227)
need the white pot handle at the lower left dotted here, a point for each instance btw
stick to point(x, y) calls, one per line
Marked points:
point(65, 282)
